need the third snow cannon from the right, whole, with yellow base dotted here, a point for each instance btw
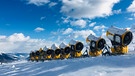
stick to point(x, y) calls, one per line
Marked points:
point(76, 48)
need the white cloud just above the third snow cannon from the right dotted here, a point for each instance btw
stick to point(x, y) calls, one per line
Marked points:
point(83, 33)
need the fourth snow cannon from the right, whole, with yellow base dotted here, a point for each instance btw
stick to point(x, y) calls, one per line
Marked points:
point(65, 50)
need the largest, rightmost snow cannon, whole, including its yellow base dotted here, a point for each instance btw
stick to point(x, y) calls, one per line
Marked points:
point(120, 39)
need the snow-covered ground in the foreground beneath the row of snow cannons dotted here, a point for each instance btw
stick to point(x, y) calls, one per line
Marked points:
point(93, 66)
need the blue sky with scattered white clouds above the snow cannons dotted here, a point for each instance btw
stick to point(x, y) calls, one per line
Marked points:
point(26, 25)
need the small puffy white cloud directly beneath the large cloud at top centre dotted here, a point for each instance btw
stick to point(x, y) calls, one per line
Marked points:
point(81, 23)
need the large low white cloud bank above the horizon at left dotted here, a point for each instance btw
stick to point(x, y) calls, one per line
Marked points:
point(17, 42)
